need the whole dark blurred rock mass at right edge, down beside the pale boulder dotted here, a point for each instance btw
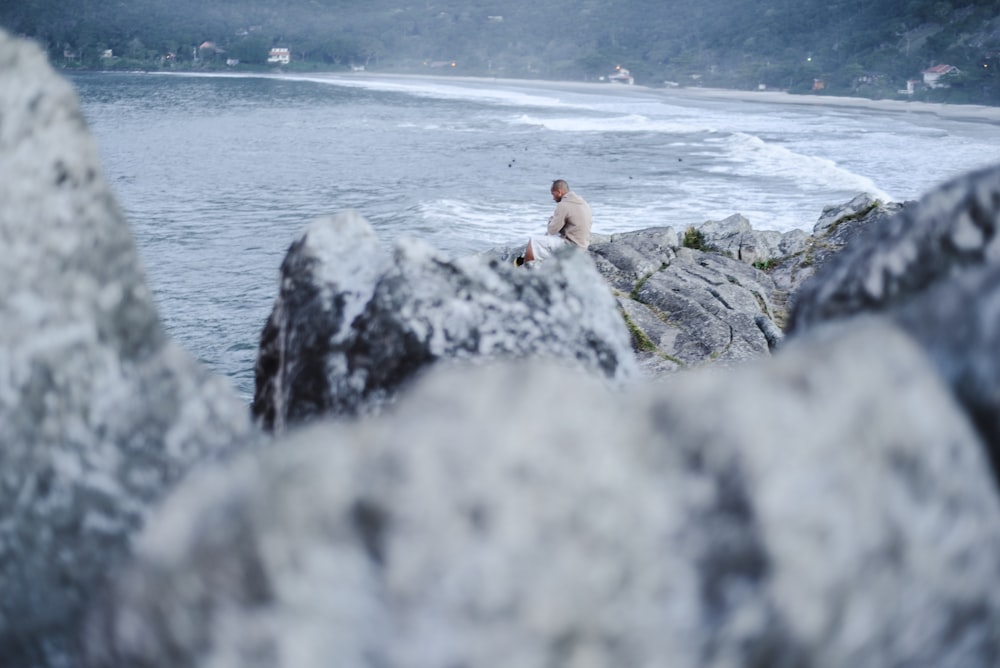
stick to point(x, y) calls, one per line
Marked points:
point(934, 268)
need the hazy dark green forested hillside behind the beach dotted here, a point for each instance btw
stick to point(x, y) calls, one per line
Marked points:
point(860, 47)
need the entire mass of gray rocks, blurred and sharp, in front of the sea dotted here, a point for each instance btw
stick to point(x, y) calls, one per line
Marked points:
point(704, 447)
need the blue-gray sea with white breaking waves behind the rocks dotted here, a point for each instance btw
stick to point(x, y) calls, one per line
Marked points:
point(218, 174)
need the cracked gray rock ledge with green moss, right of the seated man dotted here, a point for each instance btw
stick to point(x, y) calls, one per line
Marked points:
point(727, 301)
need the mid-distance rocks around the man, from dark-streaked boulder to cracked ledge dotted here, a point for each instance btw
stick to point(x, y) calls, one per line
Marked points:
point(715, 294)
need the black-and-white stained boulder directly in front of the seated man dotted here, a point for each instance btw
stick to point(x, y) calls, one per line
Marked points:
point(350, 330)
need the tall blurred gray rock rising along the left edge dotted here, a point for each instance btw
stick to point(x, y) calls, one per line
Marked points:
point(99, 411)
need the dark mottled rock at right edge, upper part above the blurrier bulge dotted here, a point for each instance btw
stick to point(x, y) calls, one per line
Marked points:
point(952, 227)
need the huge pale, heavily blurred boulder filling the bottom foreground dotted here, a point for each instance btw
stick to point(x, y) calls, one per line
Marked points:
point(829, 506)
